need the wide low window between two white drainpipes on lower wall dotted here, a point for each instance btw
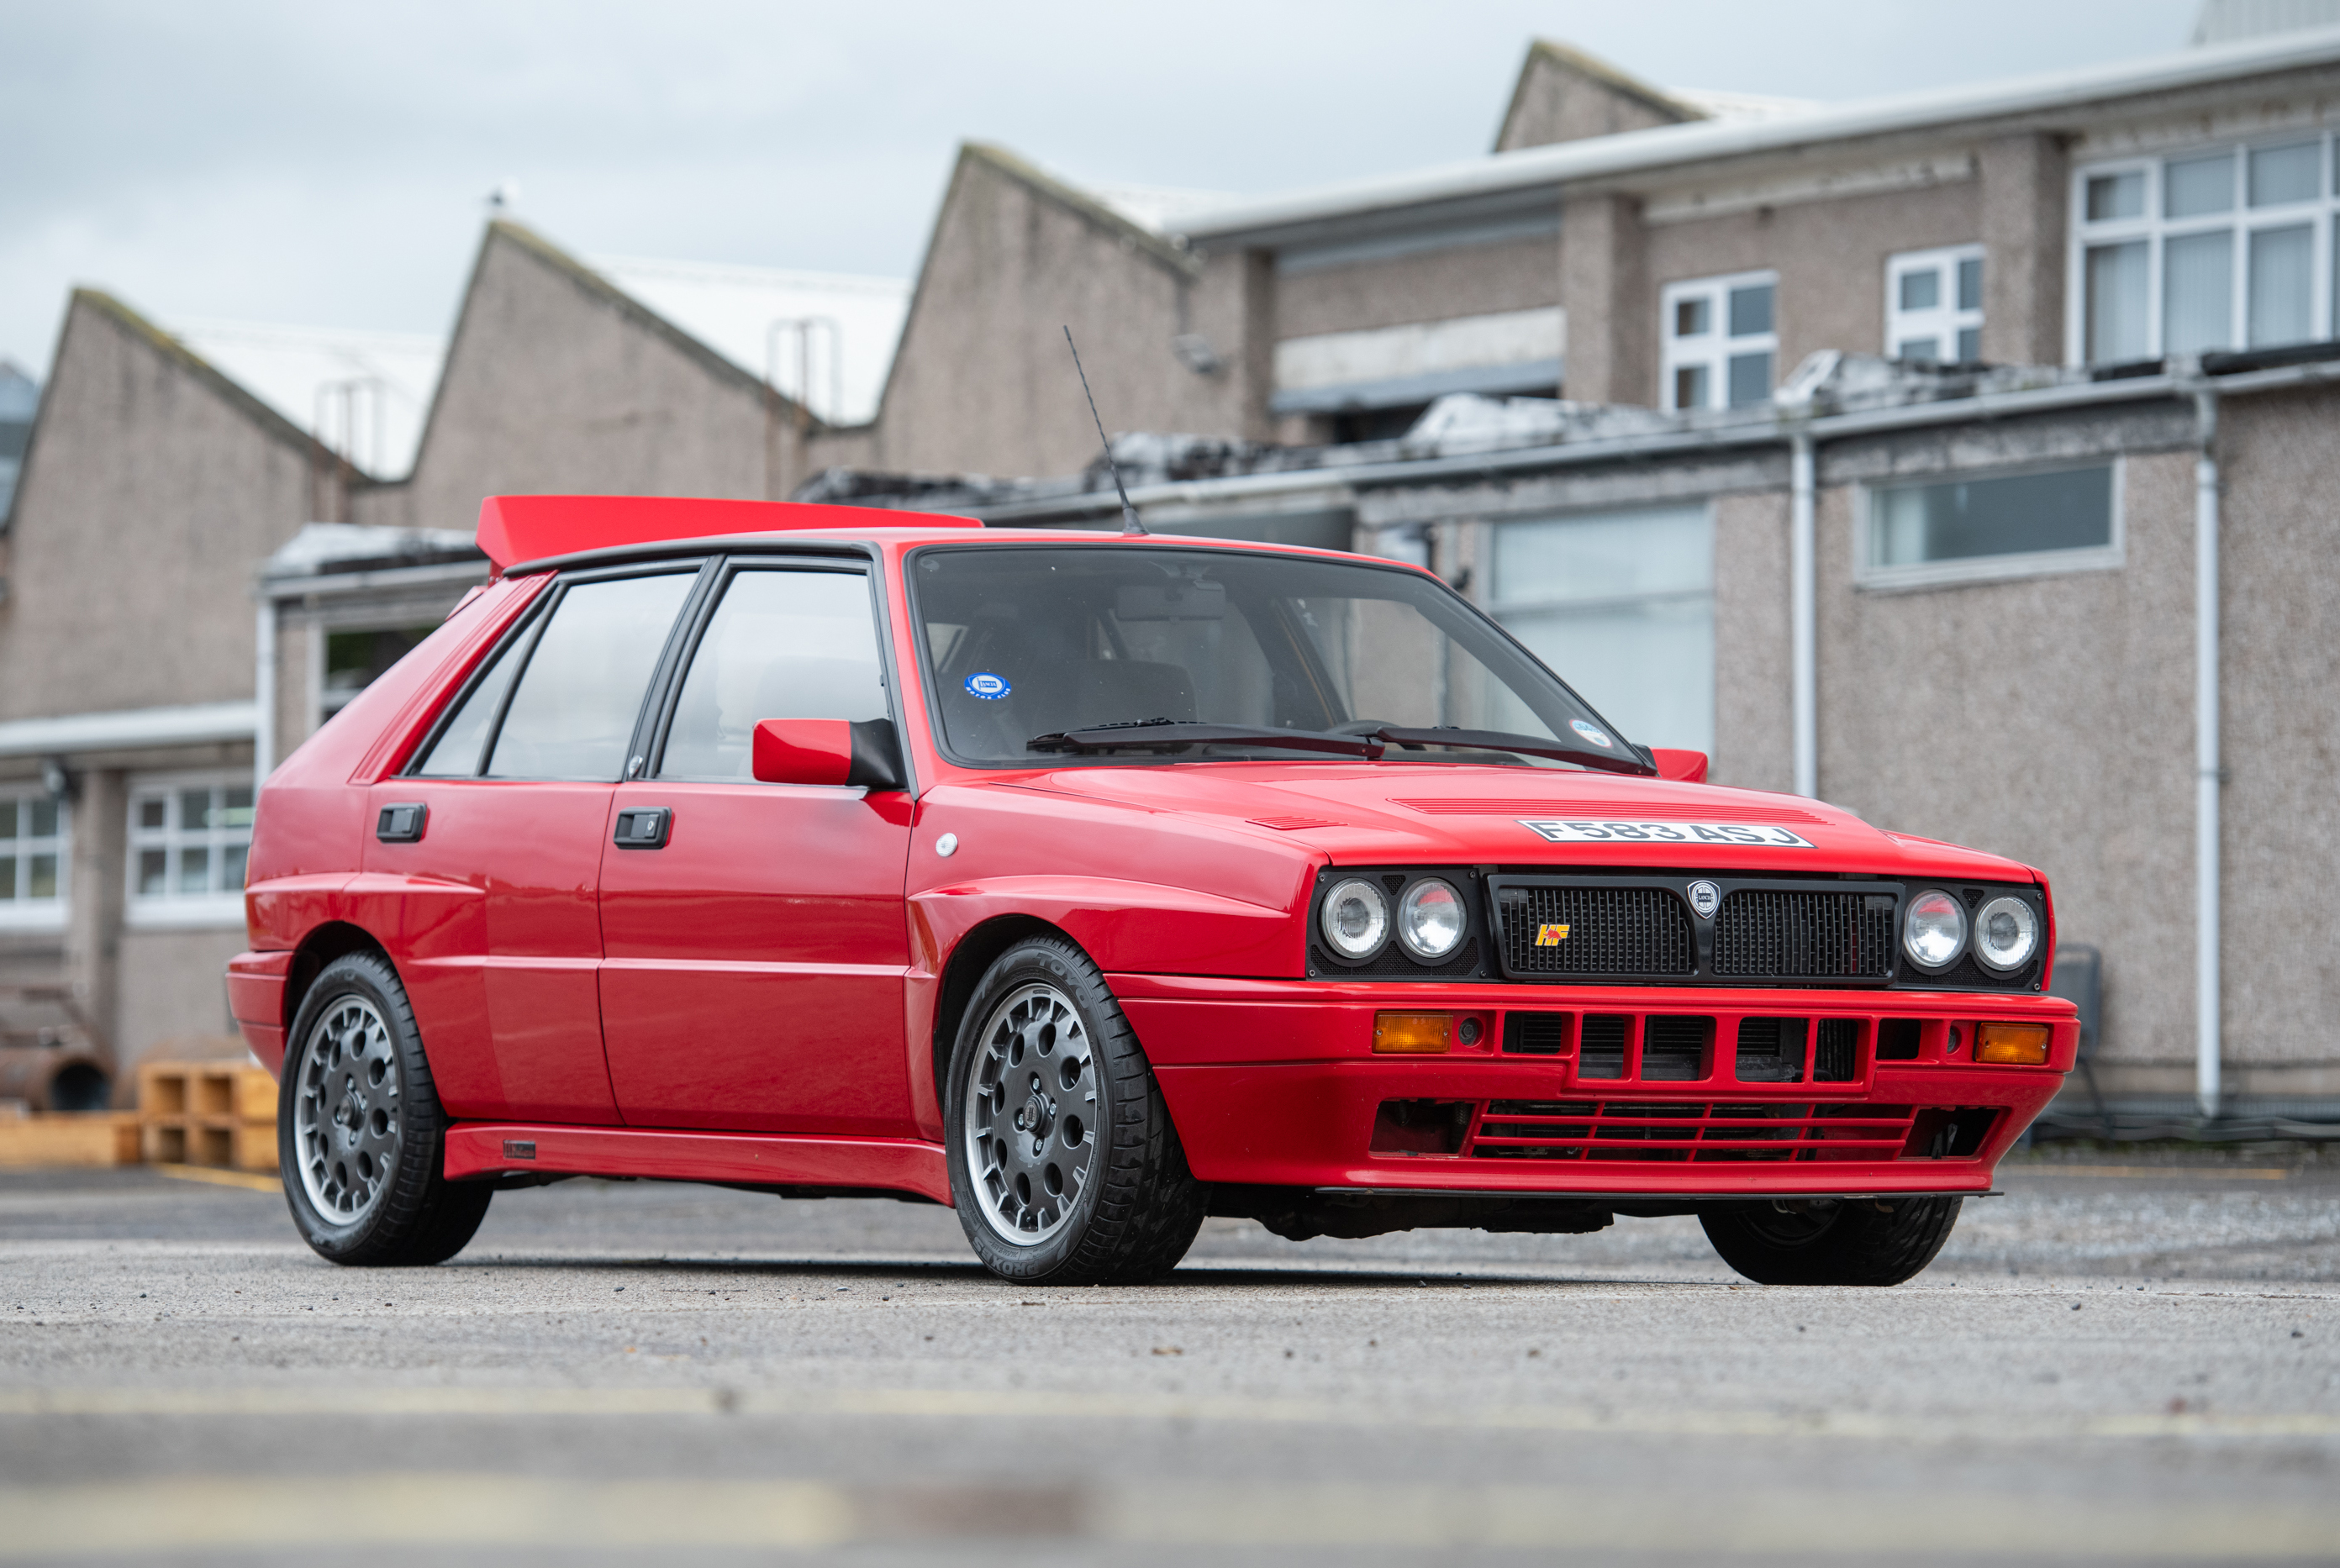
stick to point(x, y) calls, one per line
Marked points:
point(1990, 528)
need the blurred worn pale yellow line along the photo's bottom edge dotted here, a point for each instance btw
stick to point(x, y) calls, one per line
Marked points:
point(436, 1508)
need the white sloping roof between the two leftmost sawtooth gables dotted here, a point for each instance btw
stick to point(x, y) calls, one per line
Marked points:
point(364, 394)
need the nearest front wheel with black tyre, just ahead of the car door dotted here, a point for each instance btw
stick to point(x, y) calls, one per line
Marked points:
point(1064, 1160)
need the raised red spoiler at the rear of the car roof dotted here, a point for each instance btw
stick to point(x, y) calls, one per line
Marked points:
point(539, 528)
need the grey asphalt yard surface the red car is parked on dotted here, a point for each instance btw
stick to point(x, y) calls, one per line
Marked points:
point(2124, 1359)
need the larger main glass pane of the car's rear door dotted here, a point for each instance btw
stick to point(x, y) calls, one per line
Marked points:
point(574, 708)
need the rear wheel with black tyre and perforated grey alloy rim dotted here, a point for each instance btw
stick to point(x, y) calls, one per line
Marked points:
point(359, 1127)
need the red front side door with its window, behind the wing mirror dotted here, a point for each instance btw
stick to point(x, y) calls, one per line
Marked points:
point(757, 947)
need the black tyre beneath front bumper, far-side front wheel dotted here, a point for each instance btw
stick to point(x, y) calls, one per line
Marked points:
point(1850, 1242)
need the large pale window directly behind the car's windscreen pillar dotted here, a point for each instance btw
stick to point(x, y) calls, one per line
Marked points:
point(1623, 607)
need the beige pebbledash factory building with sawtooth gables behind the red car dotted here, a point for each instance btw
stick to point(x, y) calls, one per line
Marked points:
point(1960, 458)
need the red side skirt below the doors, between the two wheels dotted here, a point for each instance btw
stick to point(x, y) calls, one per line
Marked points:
point(736, 1160)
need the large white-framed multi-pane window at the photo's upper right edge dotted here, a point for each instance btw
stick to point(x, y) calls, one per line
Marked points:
point(2208, 249)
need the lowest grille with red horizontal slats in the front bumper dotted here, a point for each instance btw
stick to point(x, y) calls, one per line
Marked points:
point(1686, 1132)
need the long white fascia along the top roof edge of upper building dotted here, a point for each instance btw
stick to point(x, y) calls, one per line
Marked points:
point(1707, 142)
